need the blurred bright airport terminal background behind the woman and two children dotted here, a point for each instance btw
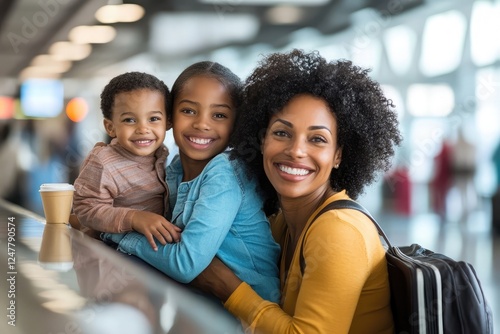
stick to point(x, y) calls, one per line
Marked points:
point(439, 61)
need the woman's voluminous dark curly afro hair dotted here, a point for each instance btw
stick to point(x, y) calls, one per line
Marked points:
point(367, 124)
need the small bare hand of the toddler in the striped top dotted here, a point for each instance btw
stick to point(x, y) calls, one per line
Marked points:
point(153, 226)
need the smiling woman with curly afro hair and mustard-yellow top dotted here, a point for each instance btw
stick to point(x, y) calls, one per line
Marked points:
point(325, 131)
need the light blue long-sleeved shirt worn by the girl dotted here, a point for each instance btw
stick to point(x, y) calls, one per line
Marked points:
point(220, 212)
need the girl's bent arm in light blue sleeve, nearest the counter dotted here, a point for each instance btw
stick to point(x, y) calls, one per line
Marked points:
point(212, 217)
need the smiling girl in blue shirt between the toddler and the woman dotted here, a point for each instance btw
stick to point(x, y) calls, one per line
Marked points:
point(213, 200)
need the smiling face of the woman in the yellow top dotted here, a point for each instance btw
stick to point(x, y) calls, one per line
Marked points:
point(300, 147)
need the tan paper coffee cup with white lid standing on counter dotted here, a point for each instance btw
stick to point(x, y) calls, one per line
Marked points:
point(57, 200)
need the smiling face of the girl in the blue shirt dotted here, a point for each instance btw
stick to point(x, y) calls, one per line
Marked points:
point(203, 118)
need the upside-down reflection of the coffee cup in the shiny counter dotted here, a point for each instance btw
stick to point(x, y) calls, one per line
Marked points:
point(55, 250)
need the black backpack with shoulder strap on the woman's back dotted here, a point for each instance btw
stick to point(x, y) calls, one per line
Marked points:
point(430, 292)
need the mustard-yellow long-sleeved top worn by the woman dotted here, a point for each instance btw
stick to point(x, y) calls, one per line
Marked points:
point(345, 287)
